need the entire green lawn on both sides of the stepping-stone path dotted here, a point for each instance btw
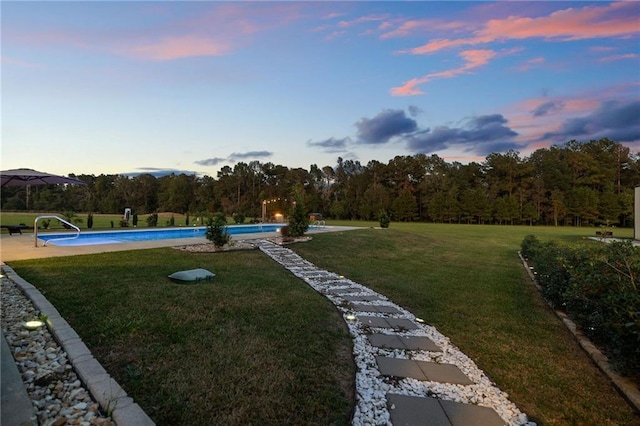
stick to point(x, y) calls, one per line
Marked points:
point(259, 346)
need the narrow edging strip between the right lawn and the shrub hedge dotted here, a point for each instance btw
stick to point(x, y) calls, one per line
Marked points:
point(624, 385)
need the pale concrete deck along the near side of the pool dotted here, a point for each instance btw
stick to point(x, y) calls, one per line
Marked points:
point(22, 247)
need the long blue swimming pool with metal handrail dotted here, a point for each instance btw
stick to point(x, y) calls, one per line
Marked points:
point(129, 236)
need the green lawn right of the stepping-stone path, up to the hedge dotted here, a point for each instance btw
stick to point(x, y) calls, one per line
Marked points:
point(468, 281)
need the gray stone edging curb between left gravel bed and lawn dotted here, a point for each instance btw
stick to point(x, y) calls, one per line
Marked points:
point(103, 388)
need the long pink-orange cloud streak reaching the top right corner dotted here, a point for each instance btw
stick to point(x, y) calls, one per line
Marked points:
point(618, 19)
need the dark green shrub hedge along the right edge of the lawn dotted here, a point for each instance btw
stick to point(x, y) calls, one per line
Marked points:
point(598, 286)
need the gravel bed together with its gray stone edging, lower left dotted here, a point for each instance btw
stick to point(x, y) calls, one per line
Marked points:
point(65, 383)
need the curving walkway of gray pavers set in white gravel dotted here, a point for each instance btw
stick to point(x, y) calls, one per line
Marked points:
point(386, 328)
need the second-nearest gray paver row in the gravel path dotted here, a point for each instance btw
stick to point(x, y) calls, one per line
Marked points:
point(422, 370)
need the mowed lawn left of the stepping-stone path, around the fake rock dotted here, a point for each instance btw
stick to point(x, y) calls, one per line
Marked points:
point(253, 346)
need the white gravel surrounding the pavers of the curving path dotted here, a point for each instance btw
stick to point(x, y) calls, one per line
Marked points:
point(371, 386)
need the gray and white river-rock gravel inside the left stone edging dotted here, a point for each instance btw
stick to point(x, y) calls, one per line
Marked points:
point(58, 396)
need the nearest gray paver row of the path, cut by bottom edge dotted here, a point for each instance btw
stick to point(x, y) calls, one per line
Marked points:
point(413, 411)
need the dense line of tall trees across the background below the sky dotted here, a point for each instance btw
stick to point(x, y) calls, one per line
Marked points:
point(578, 183)
